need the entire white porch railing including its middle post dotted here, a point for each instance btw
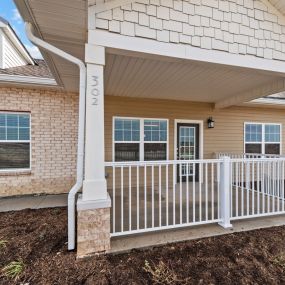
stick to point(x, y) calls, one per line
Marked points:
point(157, 195)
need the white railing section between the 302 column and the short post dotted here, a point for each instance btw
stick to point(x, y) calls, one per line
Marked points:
point(148, 196)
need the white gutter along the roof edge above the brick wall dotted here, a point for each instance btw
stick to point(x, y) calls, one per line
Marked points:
point(28, 80)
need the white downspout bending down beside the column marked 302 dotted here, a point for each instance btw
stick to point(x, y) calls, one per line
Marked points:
point(81, 129)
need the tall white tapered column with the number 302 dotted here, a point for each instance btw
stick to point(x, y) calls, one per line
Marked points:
point(94, 184)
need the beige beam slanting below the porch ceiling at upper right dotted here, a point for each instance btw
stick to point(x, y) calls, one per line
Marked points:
point(262, 91)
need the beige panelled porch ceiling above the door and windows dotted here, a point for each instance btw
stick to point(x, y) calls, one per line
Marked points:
point(204, 82)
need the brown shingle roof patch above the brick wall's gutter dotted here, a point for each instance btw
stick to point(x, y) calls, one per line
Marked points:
point(40, 69)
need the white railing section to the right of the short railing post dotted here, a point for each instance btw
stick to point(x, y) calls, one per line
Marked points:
point(257, 187)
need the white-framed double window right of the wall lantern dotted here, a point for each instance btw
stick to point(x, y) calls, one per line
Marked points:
point(262, 138)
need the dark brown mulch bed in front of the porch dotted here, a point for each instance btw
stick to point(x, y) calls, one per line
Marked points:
point(39, 239)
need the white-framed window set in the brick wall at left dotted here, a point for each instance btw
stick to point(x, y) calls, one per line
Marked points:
point(14, 141)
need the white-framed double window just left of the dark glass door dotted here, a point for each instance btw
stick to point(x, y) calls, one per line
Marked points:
point(140, 139)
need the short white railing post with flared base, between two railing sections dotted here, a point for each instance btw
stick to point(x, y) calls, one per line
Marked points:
point(225, 199)
